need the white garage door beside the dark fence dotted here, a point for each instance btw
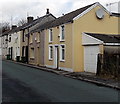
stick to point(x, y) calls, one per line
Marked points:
point(90, 58)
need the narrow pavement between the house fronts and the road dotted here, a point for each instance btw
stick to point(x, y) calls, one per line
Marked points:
point(84, 76)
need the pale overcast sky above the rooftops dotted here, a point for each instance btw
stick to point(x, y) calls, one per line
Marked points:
point(19, 9)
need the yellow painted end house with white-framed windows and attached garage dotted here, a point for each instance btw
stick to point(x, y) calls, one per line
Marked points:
point(70, 43)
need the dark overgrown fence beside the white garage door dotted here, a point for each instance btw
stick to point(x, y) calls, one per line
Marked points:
point(108, 64)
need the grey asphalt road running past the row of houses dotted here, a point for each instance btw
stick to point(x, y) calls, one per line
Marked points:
point(26, 84)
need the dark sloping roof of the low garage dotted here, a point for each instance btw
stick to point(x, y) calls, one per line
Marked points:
point(106, 38)
